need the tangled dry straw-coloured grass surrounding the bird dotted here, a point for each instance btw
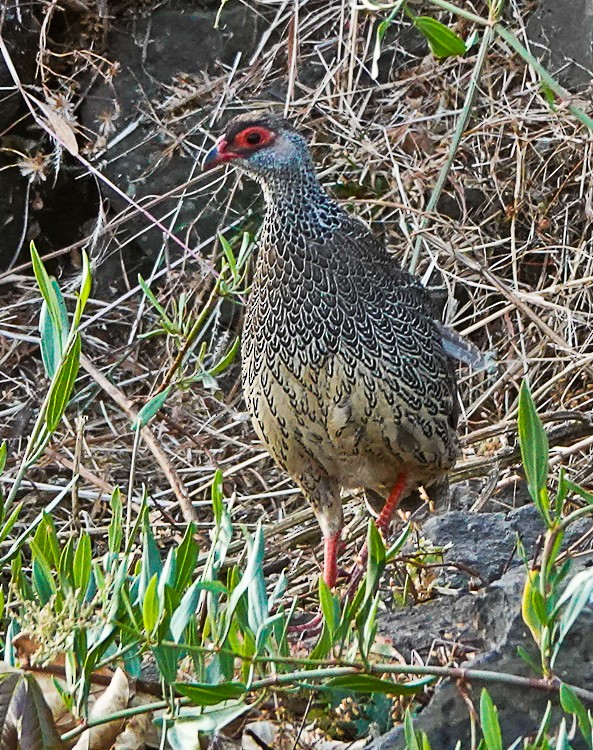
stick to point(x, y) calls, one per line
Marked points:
point(515, 261)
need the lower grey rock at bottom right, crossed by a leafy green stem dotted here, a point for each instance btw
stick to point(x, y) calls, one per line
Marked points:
point(490, 622)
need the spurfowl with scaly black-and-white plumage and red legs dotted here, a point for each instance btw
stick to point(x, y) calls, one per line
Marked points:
point(346, 373)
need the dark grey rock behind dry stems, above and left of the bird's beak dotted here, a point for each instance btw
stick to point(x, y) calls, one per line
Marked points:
point(157, 105)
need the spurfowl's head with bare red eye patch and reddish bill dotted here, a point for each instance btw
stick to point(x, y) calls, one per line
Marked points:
point(263, 145)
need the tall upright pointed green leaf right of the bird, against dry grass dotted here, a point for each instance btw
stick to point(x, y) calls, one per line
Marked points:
point(534, 451)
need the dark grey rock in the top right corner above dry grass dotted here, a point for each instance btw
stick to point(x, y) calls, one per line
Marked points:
point(560, 34)
